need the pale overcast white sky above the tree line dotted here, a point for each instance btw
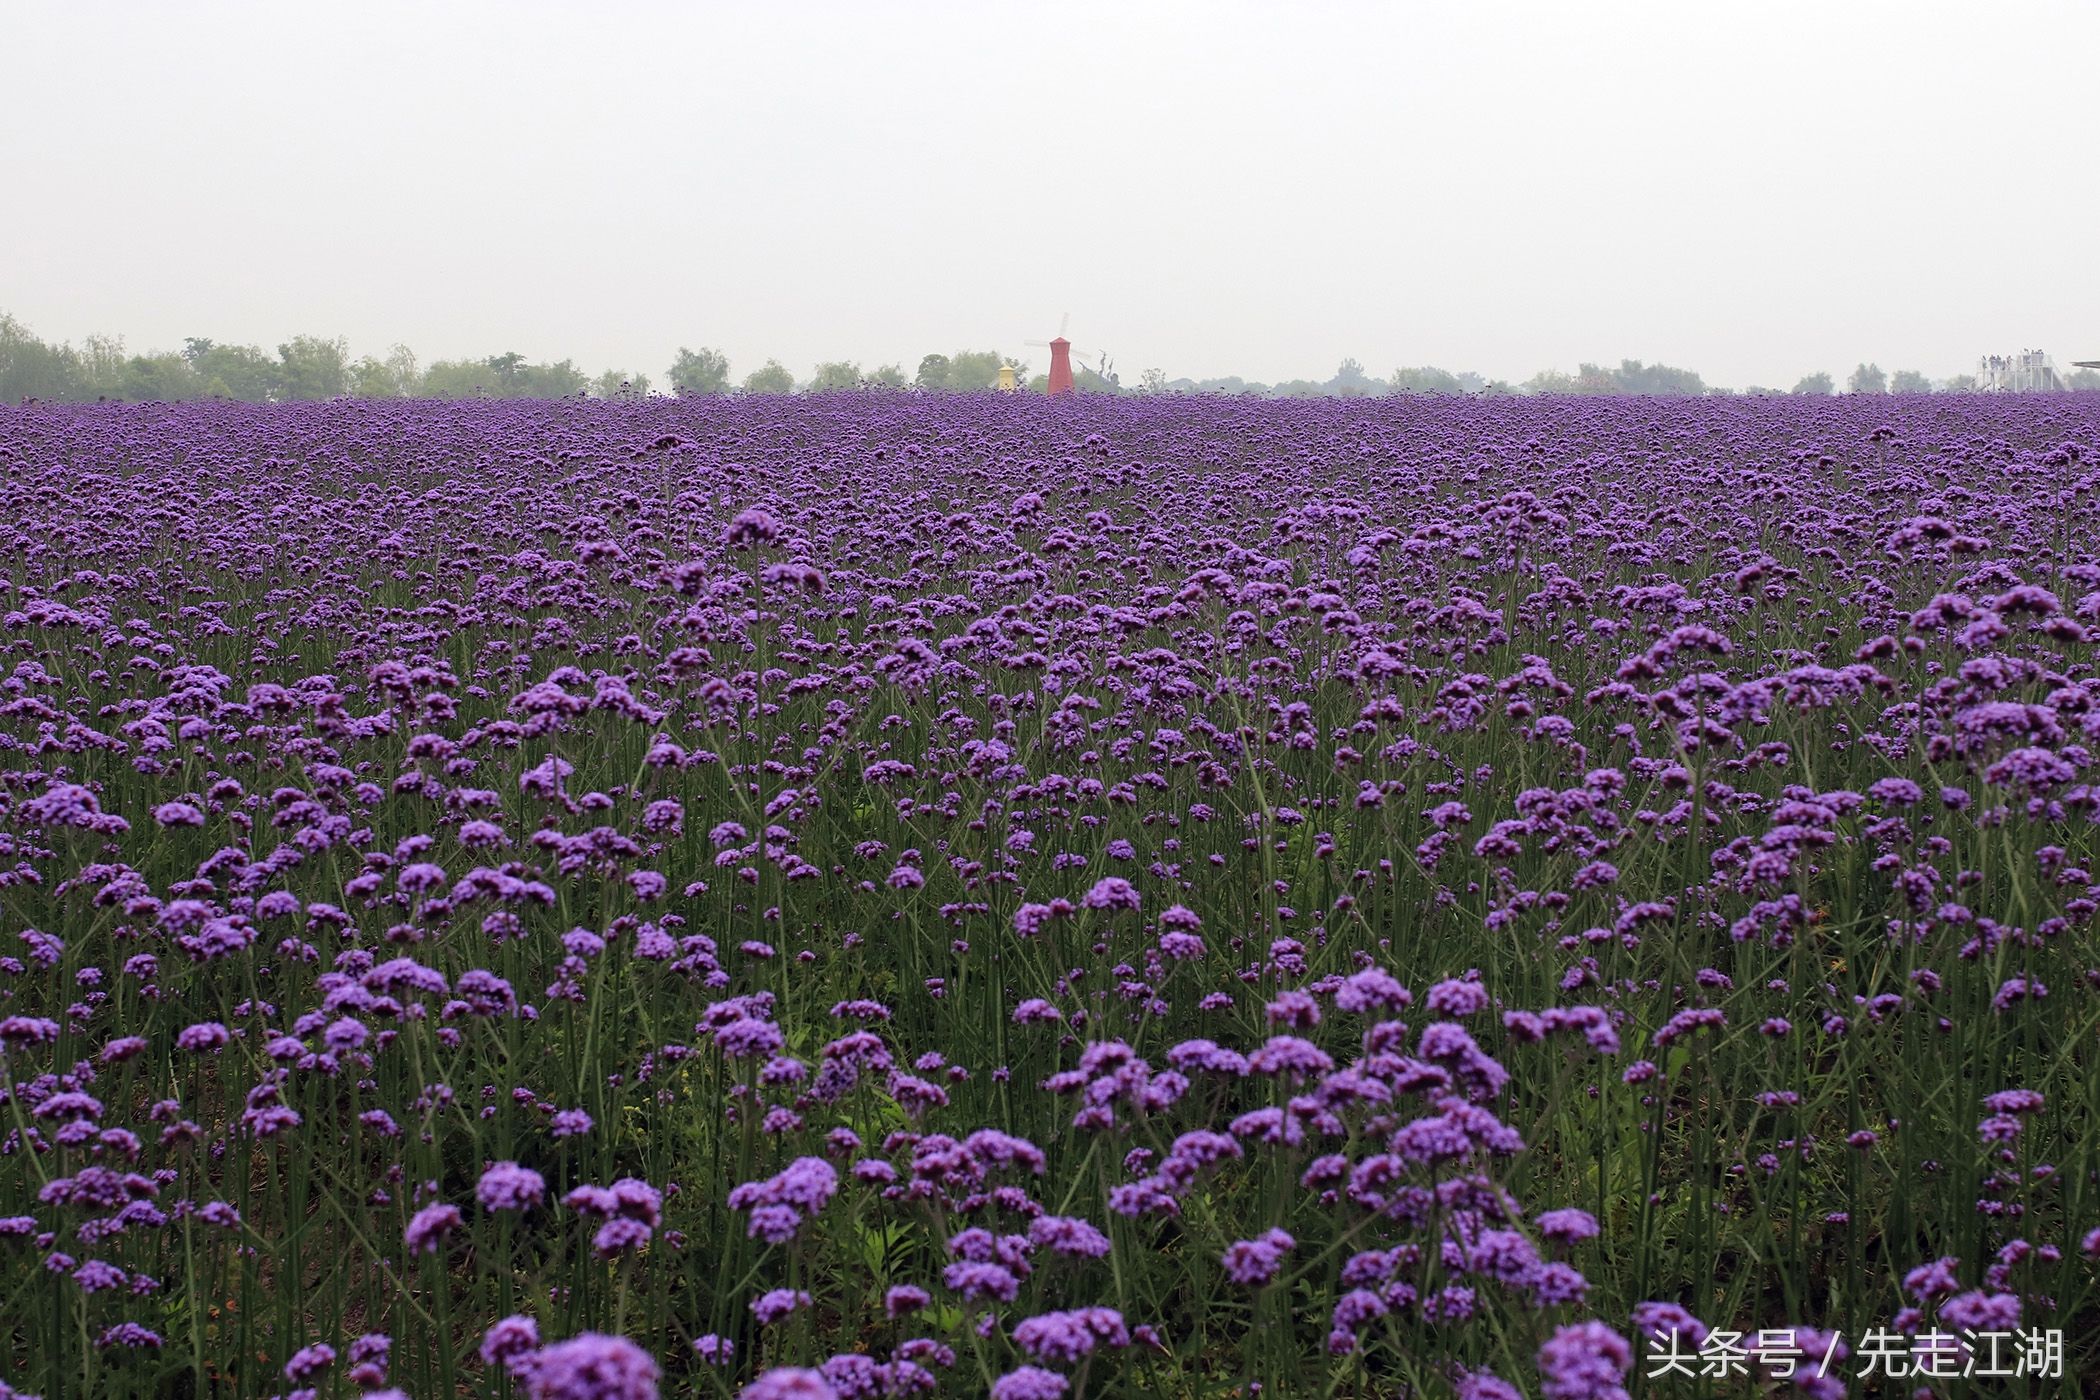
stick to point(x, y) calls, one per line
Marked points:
point(1746, 190)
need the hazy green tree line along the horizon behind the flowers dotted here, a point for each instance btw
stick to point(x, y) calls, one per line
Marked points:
point(322, 368)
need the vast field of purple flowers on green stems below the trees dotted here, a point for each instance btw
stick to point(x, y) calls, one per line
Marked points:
point(894, 895)
